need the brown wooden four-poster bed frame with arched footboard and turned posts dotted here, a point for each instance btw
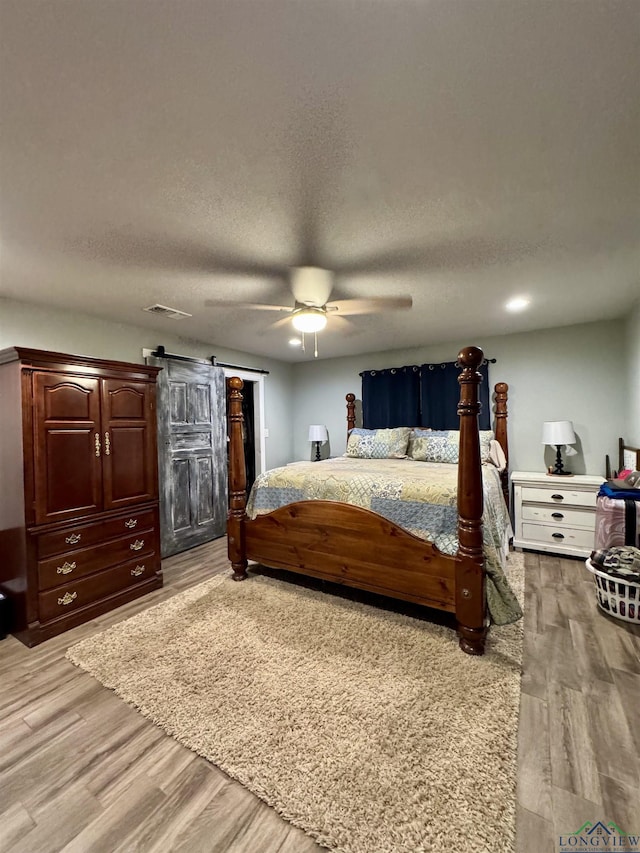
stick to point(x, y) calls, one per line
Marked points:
point(351, 545)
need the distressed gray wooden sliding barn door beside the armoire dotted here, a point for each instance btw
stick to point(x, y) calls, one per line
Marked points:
point(192, 453)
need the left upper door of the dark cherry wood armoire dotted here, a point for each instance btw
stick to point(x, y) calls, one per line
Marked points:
point(67, 447)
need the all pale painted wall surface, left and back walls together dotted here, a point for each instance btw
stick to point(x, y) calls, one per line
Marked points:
point(589, 374)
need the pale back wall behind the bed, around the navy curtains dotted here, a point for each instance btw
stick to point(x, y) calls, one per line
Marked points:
point(573, 373)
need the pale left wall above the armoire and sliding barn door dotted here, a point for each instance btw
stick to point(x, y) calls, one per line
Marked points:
point(23, 324)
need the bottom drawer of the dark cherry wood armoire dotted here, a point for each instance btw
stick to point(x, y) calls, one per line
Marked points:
point(71, 596)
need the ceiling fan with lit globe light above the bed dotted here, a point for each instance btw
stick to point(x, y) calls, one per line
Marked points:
point(311, 288)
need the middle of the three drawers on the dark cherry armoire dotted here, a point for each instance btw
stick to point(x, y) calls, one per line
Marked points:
point(85, 561)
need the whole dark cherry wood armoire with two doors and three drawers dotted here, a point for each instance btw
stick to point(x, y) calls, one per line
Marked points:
point(79, 494)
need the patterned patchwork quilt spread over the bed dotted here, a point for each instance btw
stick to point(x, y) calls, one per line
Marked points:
point(418, 496)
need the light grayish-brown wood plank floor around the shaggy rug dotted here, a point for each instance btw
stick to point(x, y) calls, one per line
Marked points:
point(82, 771)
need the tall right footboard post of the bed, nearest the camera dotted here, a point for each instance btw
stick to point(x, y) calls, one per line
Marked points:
point(470, 582)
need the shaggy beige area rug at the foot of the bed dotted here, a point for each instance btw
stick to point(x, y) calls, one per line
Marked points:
point(370, 730)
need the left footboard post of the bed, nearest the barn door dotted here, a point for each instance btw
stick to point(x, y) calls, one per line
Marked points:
point(237, 482)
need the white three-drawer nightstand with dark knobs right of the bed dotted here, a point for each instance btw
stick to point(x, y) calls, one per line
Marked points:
point(555, 514)
